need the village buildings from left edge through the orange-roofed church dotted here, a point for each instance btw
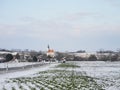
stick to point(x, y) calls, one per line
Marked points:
point(26, 55)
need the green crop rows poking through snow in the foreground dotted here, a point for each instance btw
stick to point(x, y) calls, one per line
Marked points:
point(54, 80)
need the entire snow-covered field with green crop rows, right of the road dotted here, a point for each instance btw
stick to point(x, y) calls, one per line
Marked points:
point(83, 75)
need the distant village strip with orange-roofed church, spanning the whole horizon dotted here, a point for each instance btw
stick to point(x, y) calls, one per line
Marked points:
point(27, 55)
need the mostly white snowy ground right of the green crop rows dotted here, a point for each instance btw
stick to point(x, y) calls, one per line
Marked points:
point(106, 74)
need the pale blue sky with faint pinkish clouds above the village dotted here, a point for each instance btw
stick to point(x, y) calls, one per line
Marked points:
point(66, 25)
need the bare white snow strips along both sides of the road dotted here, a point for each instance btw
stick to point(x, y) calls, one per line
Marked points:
point(27, 72)
